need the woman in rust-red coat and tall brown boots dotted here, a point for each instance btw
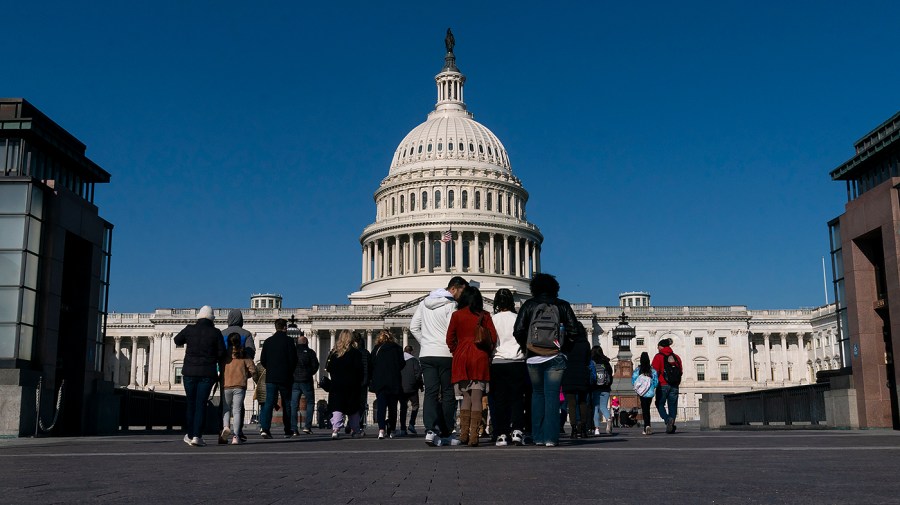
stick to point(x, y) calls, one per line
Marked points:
point(471, 369)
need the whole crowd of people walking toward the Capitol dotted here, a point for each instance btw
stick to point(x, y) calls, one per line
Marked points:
point(525, 367)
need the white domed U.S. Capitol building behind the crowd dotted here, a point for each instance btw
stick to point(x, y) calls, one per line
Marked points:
point(451, 205)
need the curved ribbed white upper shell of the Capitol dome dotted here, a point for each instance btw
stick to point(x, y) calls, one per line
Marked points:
point(449, 137)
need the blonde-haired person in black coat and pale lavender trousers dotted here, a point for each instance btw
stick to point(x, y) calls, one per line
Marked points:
point(345, 367)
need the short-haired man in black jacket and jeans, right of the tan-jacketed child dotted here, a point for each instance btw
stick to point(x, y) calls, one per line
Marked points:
point(279, 358)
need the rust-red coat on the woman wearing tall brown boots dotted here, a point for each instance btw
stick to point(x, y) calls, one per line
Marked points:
point(469, 362)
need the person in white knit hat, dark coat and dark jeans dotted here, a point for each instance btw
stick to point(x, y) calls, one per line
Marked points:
point(204, 353)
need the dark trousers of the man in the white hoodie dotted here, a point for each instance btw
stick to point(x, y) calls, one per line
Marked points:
point(440, 401)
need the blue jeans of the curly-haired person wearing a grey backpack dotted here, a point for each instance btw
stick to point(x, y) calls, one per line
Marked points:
point(546, 378)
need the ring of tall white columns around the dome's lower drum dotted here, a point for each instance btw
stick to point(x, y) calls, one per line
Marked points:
point(467, 251)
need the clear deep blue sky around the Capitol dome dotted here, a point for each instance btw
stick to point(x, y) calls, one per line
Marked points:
point(681, 148)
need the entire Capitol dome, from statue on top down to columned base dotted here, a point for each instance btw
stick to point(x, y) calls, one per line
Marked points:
point(450, 205)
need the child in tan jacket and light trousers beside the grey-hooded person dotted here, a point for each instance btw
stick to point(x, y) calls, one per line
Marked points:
point(238, 368)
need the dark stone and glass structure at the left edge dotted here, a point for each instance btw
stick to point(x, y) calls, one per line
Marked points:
point(54, 278)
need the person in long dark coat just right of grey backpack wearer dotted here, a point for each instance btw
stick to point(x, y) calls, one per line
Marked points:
point(576, 383)
